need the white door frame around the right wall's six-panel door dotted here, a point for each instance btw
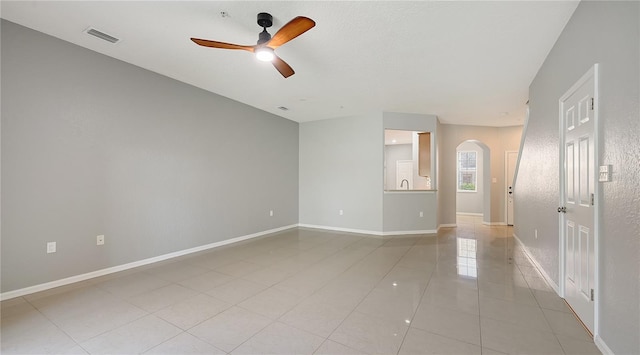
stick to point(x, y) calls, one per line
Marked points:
point(592, 72)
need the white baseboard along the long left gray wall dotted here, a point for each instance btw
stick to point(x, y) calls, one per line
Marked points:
point(77, 278)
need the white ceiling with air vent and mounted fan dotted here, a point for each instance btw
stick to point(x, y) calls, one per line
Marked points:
point(466, 62)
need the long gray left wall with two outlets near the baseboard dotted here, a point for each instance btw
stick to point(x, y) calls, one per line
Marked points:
point(92, 145)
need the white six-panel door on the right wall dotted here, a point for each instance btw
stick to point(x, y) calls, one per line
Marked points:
point(577, 206)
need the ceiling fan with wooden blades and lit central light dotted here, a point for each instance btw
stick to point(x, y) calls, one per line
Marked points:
point(264, 49)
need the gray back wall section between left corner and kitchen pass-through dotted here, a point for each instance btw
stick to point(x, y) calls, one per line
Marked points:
point(341, 169)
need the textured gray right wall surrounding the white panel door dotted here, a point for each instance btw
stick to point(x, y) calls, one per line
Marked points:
point(607, 33)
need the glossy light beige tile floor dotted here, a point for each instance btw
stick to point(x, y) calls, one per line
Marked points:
point(468, 290)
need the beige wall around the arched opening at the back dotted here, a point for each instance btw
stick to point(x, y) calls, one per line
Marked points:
point(498, 140)
